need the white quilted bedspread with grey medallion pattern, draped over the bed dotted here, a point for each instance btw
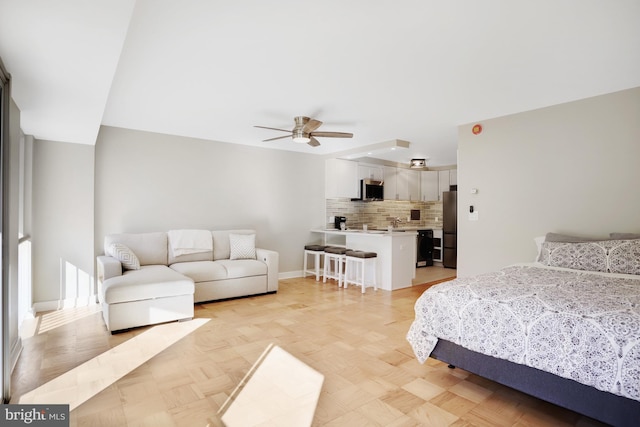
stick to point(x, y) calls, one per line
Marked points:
point(576, 324)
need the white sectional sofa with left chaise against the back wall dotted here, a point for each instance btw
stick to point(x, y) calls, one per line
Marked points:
point(149, 278)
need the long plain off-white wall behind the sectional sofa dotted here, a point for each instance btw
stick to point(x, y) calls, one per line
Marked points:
point(155, 182)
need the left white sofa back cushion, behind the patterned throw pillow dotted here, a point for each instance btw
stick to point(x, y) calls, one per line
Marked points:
point(150, 248)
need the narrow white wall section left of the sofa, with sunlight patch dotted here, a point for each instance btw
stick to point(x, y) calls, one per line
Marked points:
point(62, 240)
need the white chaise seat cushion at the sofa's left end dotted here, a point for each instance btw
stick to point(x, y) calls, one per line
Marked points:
point(152, 281)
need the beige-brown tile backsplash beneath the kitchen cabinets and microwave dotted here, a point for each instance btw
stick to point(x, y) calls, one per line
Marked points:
point(379, 214)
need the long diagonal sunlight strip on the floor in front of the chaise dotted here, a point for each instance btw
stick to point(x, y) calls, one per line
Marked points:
point(83, 382)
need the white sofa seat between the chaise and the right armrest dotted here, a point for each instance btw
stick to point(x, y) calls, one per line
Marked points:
point(206, 271)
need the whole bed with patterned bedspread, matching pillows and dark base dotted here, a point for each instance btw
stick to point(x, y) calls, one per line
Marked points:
point(574, 323)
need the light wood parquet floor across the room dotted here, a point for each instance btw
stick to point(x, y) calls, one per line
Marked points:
point(357, 341)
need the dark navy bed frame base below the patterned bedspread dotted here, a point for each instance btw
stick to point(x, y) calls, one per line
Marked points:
point(602, 406)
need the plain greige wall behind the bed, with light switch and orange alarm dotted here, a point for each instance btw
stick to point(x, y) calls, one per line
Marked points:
point(570, 168)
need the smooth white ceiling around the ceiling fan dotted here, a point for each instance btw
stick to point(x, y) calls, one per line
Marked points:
point(405, 69)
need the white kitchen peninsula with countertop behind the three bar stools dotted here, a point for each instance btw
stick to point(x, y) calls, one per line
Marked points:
point(396, 249)
